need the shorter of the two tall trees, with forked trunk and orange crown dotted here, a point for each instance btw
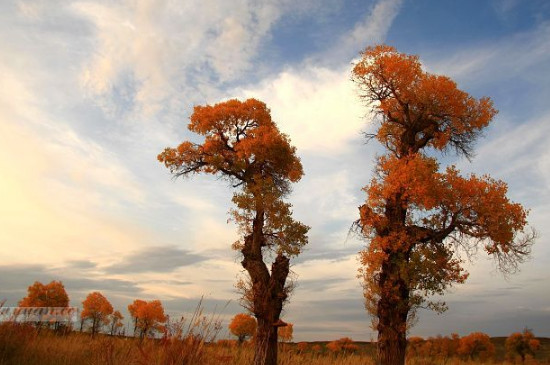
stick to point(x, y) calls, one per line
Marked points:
point(243, 145)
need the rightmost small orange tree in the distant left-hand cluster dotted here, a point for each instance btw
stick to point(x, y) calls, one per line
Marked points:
point(148, 317)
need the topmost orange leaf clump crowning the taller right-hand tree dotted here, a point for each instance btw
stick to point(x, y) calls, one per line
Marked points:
point(418, 109)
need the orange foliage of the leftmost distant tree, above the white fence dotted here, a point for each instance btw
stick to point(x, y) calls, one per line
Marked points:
point(49, 295)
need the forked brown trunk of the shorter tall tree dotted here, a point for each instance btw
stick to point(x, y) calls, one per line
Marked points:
point(268, 291)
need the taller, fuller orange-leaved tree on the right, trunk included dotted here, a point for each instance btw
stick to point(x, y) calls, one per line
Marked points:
point(417, 219)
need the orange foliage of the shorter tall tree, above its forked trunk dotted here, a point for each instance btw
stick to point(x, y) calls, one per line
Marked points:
point(243, 145)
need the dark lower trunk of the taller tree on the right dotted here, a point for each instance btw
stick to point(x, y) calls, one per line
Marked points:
point(393, 310)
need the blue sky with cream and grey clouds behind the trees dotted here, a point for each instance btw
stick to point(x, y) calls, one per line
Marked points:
point(92, 91)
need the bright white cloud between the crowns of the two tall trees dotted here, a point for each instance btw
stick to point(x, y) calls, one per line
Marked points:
point(317, 107)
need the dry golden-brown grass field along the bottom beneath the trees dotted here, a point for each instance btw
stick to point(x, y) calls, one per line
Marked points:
point(25, 345)
